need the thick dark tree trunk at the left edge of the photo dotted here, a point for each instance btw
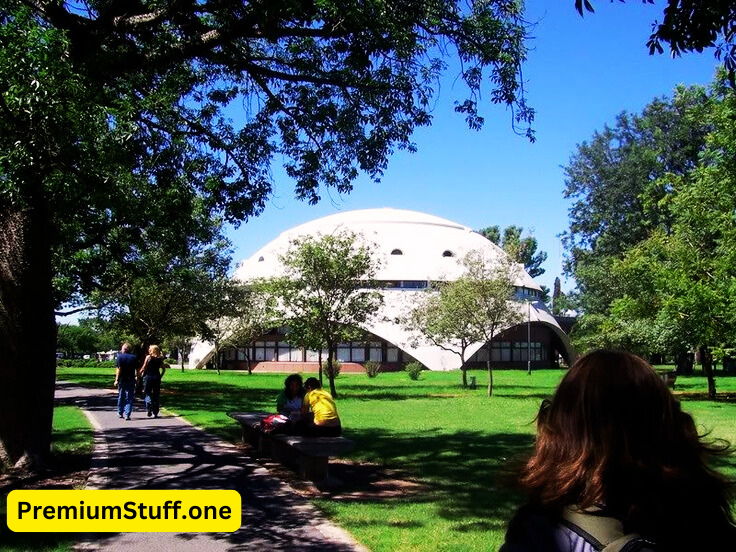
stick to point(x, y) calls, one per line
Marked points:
point(27, 335)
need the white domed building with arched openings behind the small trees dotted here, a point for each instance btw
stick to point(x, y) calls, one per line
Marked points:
point(415, 249)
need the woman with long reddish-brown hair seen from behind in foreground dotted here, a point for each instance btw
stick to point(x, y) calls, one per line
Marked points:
point(616, 460)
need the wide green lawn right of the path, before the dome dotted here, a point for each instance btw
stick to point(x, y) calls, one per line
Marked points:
point(458, 444)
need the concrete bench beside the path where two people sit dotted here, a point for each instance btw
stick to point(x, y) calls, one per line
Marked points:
point(309, 455)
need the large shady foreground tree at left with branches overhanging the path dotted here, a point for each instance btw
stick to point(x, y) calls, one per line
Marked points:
point(115, 114)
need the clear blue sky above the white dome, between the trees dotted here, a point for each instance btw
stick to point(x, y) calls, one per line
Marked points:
point(580, 74)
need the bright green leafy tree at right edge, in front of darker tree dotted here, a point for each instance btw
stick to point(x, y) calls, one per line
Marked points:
point(671, 291)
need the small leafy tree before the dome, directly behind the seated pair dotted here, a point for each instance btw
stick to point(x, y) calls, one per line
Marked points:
point(326, 293)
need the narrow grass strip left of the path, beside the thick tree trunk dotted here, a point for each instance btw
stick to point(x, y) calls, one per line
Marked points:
point(72, 440)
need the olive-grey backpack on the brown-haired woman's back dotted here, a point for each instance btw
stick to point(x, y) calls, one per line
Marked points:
point(605, 534)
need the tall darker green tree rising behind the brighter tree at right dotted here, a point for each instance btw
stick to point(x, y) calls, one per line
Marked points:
point(617, 191)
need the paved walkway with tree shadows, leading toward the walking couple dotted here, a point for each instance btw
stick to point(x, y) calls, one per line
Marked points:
point(168, 453)
